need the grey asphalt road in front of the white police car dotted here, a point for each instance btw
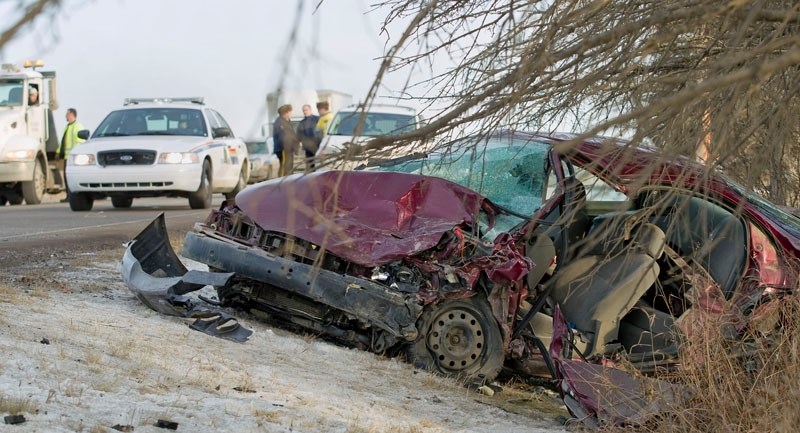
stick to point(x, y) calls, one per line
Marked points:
point(28, 232)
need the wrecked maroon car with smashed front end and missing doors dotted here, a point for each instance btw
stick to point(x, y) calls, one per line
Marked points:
point(459, 260)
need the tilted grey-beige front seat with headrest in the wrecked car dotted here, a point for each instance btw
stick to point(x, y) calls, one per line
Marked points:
point(596, 291)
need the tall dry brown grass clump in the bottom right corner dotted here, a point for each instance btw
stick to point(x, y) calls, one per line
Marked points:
point(741, 385)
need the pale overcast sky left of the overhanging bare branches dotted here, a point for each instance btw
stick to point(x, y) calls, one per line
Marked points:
point(230, 52)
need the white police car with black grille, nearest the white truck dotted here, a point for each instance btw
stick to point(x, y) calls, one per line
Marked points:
point(157, 147)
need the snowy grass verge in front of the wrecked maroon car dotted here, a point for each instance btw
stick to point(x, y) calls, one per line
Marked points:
point(78, 353)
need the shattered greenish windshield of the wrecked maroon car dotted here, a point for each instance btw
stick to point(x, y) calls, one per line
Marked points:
point(507, 169)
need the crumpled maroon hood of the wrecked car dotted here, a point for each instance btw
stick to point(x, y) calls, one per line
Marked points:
point(370, 218)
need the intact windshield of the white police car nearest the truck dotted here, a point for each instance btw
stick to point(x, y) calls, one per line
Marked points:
point(153, 121)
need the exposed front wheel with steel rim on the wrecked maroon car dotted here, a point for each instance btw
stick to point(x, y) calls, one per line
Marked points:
point(459, 338)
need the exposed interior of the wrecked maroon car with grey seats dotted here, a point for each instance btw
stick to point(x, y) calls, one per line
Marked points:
point(614, 284)
